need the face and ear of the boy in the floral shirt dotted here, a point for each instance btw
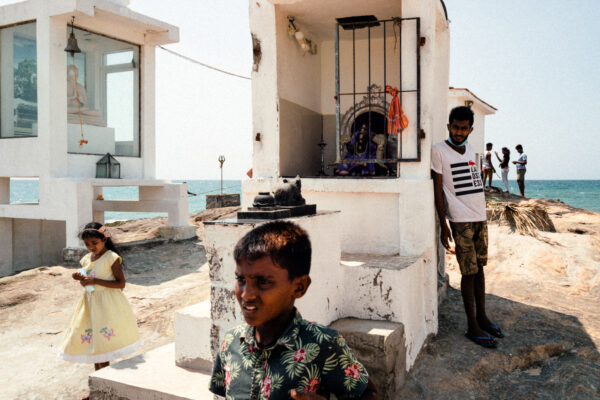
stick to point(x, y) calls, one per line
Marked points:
point(265, 292)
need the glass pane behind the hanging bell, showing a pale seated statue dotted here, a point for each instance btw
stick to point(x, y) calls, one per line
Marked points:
point(103, 96)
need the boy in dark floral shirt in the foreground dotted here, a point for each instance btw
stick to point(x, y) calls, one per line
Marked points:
point(278, 355)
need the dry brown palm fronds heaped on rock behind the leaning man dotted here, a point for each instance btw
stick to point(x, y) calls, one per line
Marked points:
point(525, 219)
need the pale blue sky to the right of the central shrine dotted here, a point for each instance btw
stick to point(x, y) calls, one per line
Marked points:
point(537, 62)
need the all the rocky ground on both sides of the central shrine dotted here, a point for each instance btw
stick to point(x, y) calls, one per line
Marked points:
point(544, 291)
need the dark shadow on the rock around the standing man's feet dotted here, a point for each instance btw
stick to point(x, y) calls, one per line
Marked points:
point(545, 355)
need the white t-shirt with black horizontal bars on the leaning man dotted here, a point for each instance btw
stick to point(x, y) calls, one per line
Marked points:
point(463, 188)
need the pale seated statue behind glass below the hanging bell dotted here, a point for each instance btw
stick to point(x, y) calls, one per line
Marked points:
point(77, 99)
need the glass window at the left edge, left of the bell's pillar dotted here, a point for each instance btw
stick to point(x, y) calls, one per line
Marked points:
point(18, 81)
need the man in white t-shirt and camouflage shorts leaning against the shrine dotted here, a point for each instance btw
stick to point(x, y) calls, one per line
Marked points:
point(459, 196)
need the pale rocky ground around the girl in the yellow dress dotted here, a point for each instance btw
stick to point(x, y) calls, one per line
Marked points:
point(36, 307)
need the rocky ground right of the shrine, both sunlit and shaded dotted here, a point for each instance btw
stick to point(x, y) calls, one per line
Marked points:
point(545, 293)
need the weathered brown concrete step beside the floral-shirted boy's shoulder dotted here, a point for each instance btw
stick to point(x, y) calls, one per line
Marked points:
point(381, 348)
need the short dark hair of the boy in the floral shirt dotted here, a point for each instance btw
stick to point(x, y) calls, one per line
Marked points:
point(286, 243)
